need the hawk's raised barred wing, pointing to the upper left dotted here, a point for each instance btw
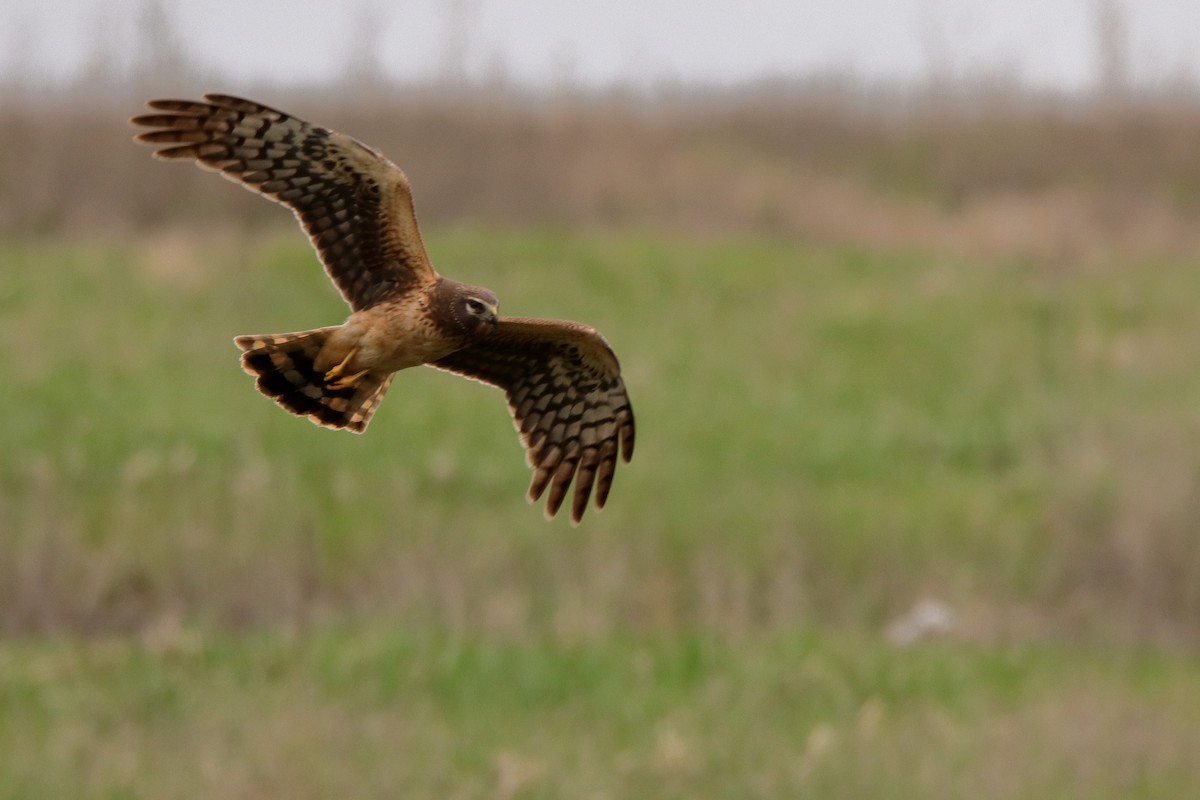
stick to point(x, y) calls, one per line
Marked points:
point(355, 204)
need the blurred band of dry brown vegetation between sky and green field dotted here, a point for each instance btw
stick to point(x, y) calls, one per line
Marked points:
point(1052, 178)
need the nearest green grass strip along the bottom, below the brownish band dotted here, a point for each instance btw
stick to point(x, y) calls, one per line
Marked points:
point(382, 713)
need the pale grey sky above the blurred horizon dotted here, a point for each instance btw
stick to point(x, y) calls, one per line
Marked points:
point(1051, 44)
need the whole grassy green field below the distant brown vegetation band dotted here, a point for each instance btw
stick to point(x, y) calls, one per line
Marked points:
point(205, 597)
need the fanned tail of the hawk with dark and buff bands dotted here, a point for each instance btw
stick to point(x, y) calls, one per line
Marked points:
point(286, 369)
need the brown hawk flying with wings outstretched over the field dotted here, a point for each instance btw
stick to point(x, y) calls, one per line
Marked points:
point(562, 380)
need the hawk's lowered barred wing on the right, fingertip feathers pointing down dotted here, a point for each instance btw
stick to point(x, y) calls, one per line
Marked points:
point(568, 402)
